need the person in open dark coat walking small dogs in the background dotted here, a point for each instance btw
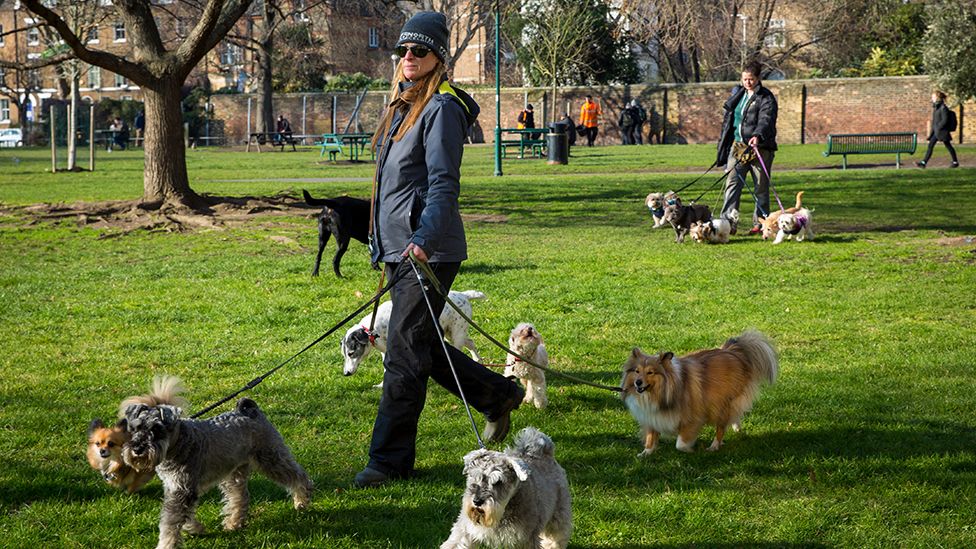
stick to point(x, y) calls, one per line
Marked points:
point(750, 121)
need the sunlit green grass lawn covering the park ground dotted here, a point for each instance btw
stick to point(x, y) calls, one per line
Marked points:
point(867, 439)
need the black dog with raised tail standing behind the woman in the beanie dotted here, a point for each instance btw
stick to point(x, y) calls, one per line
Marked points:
point(345, 217)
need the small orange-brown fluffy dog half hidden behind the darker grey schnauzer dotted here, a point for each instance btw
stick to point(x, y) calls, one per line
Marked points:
point(105, 442)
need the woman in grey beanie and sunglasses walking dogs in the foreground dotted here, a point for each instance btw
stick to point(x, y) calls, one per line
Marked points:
point(419, 143)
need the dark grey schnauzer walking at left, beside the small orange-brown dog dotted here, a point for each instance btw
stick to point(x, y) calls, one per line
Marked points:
point(192, 456)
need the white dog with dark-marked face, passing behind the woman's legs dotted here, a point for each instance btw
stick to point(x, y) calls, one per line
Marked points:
point(359, 341)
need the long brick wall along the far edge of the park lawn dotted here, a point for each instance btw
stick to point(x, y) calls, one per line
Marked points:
point(809, 110)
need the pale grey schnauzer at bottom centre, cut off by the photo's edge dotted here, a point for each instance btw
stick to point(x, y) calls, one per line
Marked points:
point(516, 498)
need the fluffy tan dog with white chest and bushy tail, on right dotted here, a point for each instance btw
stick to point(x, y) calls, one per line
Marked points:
point(679, 396)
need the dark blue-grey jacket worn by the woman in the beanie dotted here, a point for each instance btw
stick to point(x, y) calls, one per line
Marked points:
point(418, 181)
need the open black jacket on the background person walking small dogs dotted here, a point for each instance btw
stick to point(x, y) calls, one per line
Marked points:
point(759, 119)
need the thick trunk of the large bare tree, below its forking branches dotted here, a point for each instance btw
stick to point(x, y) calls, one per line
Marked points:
point(165, 178)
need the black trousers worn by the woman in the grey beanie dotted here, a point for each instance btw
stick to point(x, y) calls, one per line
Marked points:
point(413, 355)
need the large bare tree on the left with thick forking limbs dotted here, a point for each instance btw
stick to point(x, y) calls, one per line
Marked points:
point(160, 73)
